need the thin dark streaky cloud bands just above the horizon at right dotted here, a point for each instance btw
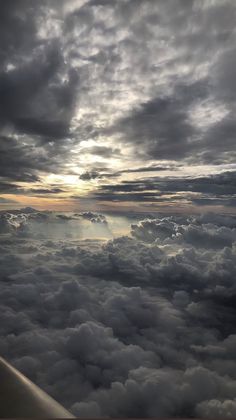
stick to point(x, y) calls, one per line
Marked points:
point(213, 190)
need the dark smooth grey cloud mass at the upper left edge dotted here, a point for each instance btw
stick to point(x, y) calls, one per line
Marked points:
point(26, 106)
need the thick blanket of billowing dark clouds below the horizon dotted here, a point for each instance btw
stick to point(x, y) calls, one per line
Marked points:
point(134, 326)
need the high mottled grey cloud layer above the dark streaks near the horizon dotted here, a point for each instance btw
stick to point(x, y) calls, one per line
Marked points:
point(126, 73)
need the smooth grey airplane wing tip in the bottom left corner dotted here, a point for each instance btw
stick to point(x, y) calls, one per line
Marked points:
point(19, 397)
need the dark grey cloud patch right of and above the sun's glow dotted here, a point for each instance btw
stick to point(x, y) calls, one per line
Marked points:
point(161, 129)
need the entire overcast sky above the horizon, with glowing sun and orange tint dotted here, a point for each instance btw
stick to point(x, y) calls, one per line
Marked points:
point(122, 105)
